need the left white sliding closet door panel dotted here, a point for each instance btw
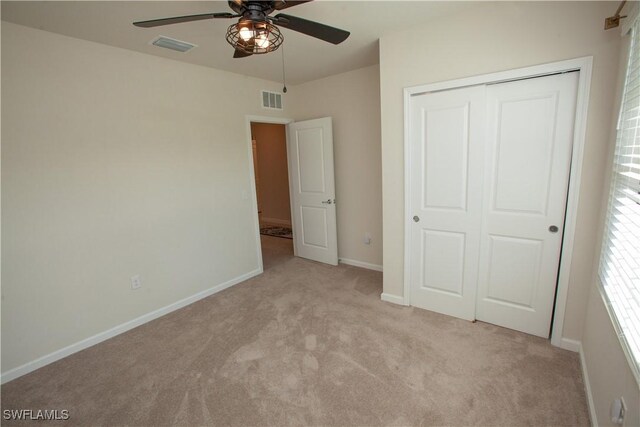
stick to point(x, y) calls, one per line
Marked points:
point(446, 131)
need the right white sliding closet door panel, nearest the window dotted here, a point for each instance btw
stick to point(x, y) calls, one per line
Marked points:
point(529, 138)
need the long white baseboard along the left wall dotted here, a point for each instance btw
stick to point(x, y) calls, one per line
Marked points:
point(117, 330)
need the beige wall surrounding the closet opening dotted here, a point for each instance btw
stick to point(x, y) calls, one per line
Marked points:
point(492, 37)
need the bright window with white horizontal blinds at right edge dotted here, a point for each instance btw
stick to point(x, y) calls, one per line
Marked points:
point(620, 260)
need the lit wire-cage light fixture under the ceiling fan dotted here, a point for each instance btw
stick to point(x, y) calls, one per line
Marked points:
point(254, 37)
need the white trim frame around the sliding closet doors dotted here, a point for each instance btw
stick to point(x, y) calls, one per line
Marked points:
point(584, 66)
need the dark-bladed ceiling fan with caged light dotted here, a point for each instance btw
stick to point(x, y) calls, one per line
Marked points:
point(256, 32)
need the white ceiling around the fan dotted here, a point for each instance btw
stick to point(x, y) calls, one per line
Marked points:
point(306, 58)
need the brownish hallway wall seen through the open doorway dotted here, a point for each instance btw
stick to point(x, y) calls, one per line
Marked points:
point(273, 172)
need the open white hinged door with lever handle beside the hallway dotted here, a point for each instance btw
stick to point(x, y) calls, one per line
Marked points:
point(312, 187)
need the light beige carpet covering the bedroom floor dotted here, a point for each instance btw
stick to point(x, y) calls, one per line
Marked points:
point(309, 344)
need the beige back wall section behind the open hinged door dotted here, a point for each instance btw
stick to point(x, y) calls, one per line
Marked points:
point(353, 101)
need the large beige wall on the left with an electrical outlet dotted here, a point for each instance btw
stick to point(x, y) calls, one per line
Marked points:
point(115, 163)
